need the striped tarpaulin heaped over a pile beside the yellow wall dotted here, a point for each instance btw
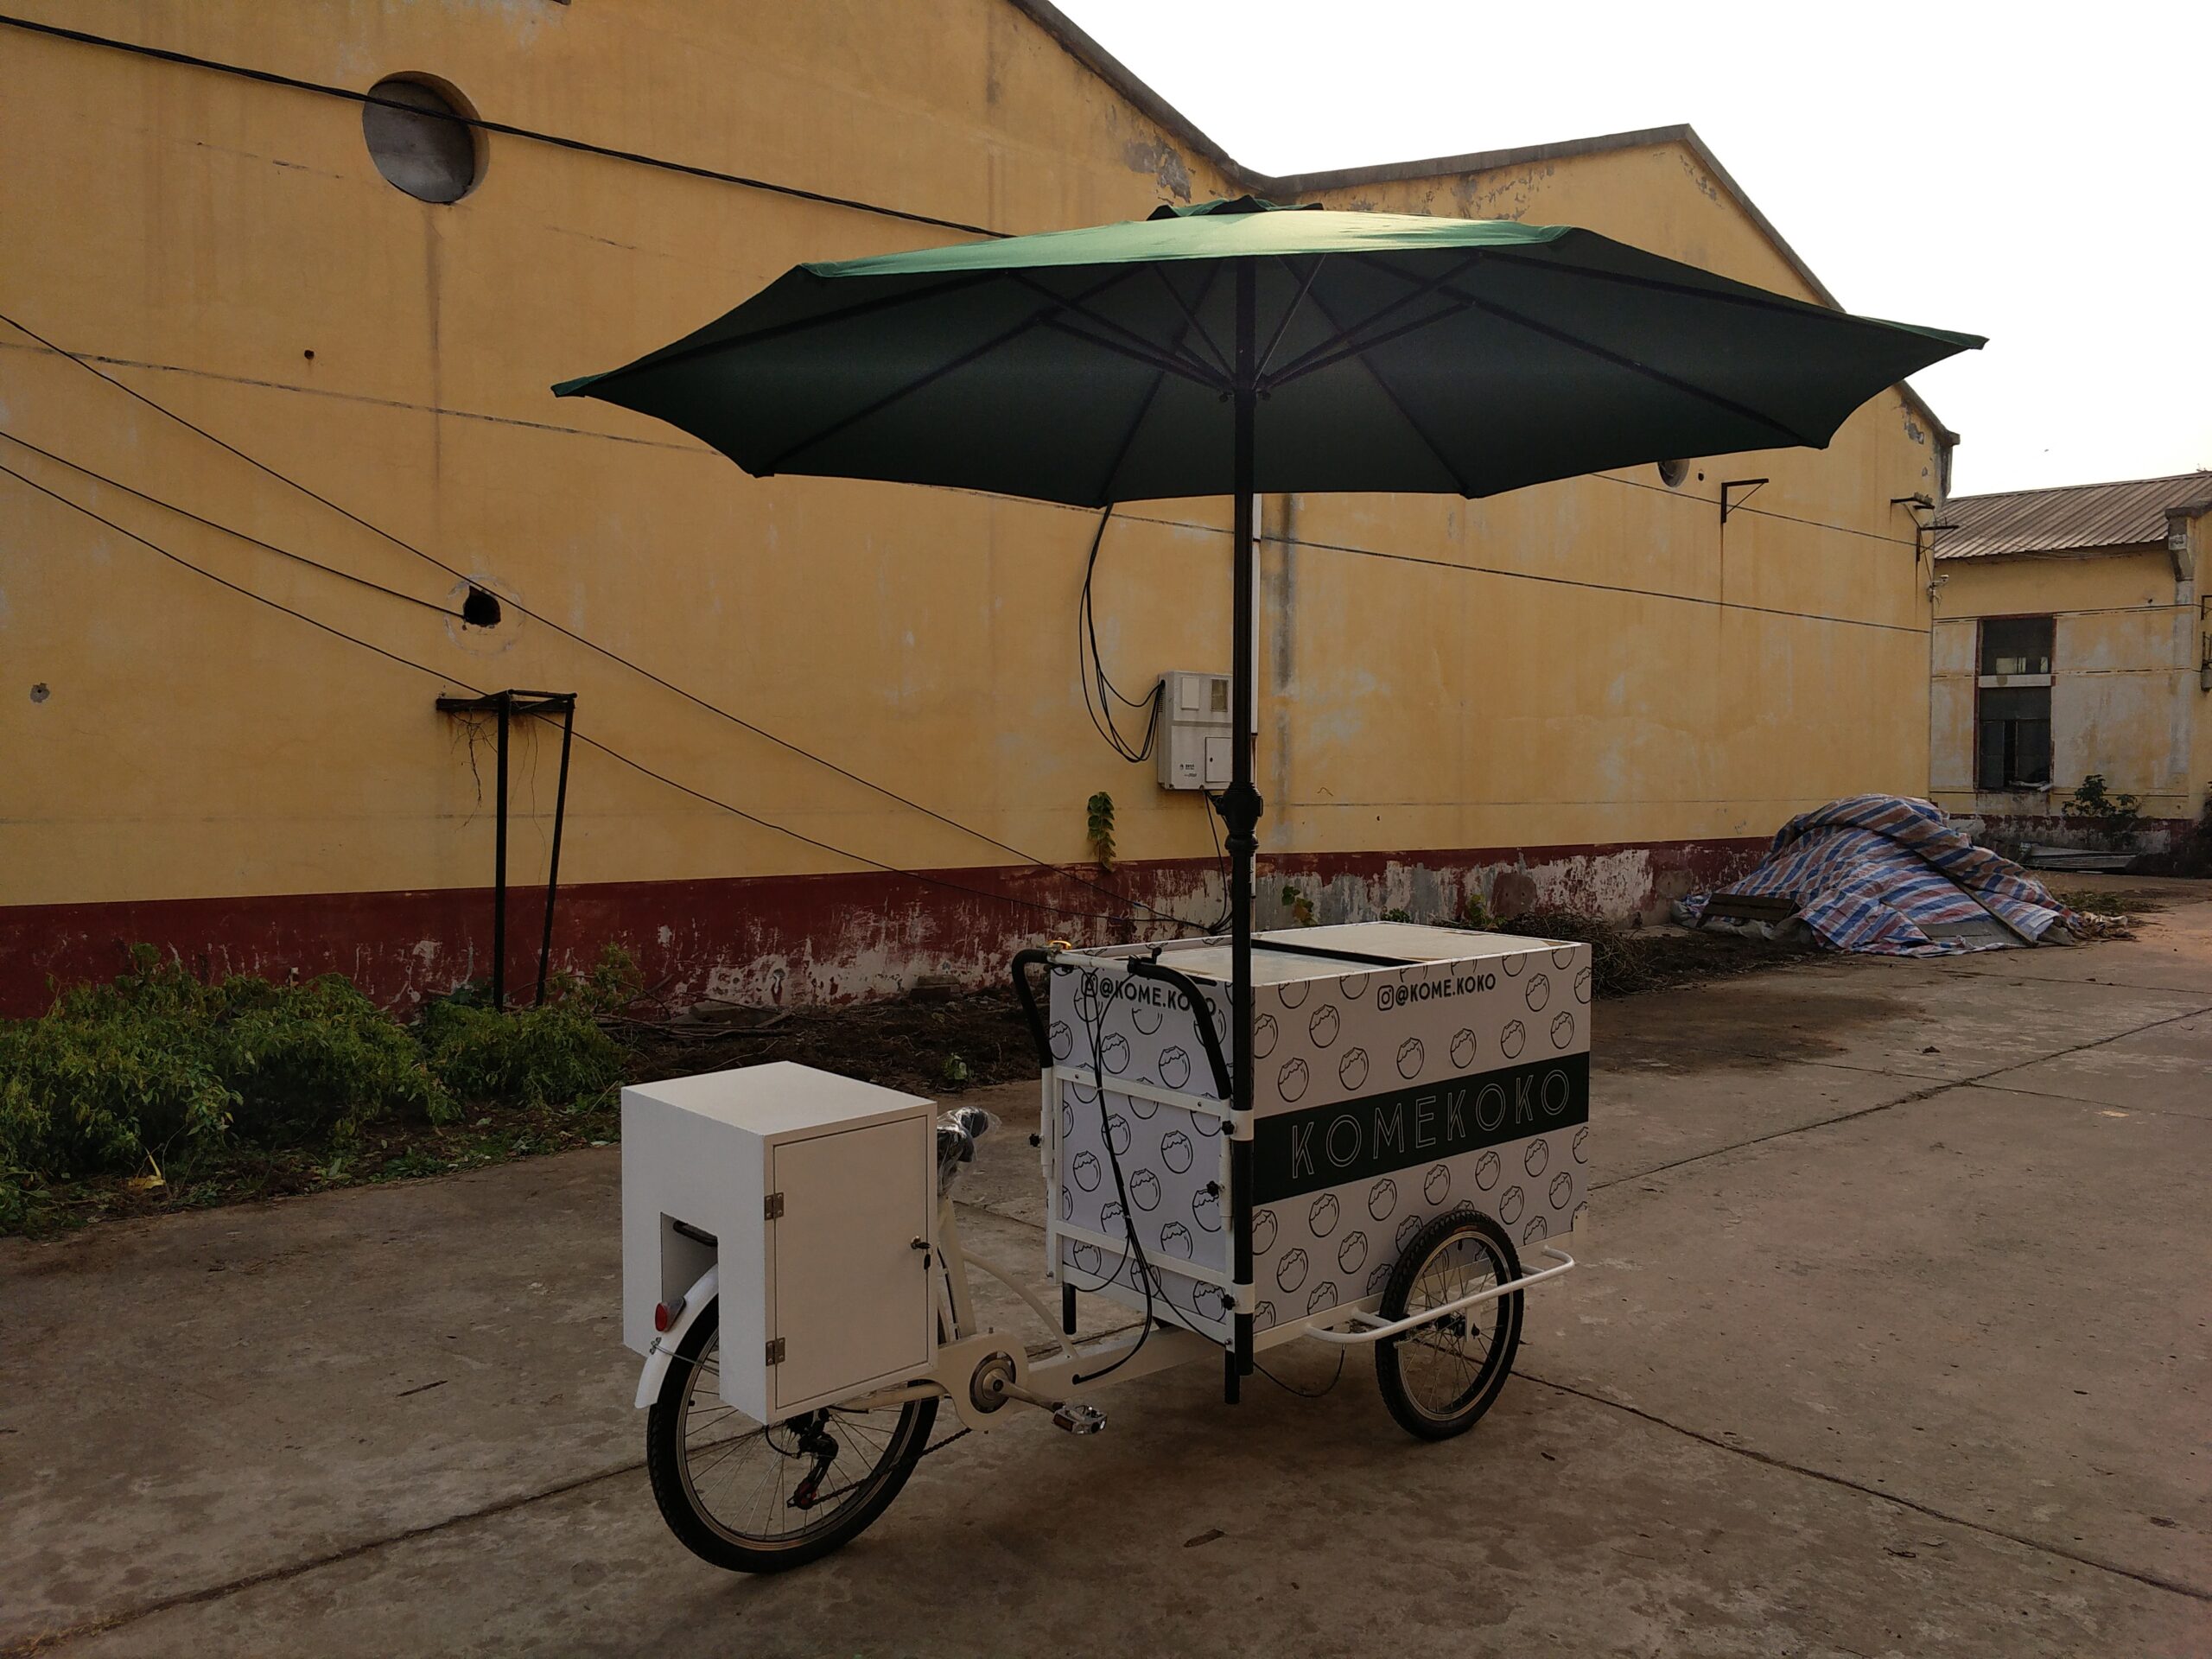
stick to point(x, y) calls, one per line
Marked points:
point(1886, 875)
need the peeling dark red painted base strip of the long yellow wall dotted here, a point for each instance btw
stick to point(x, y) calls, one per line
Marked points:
point(804, 939)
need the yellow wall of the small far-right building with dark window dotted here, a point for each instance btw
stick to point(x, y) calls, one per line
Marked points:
point(2127, 698)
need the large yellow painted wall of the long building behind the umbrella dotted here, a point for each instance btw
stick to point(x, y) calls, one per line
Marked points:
point(202, 236)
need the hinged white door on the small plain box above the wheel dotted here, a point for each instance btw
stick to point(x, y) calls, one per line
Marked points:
point(853, 1293)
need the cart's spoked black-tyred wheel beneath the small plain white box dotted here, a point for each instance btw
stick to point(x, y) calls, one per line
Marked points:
point(762, 1499)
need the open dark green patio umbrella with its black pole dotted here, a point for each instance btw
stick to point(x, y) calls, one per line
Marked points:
point(1238, 348)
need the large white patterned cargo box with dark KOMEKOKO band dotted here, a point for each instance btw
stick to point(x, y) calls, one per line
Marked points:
point(1399, 1074)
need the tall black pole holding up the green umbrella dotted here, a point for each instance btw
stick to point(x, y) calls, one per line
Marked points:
point(1240, 813)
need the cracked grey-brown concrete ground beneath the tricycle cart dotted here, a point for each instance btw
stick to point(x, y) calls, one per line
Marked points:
point(1892, 1339)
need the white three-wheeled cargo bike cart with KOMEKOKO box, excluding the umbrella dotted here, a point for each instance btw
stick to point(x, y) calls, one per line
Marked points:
point(795, 1277)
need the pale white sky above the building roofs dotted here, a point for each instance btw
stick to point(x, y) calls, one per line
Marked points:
point(2034, 174)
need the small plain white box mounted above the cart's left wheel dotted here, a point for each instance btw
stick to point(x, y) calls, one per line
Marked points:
point(820, 1200)
